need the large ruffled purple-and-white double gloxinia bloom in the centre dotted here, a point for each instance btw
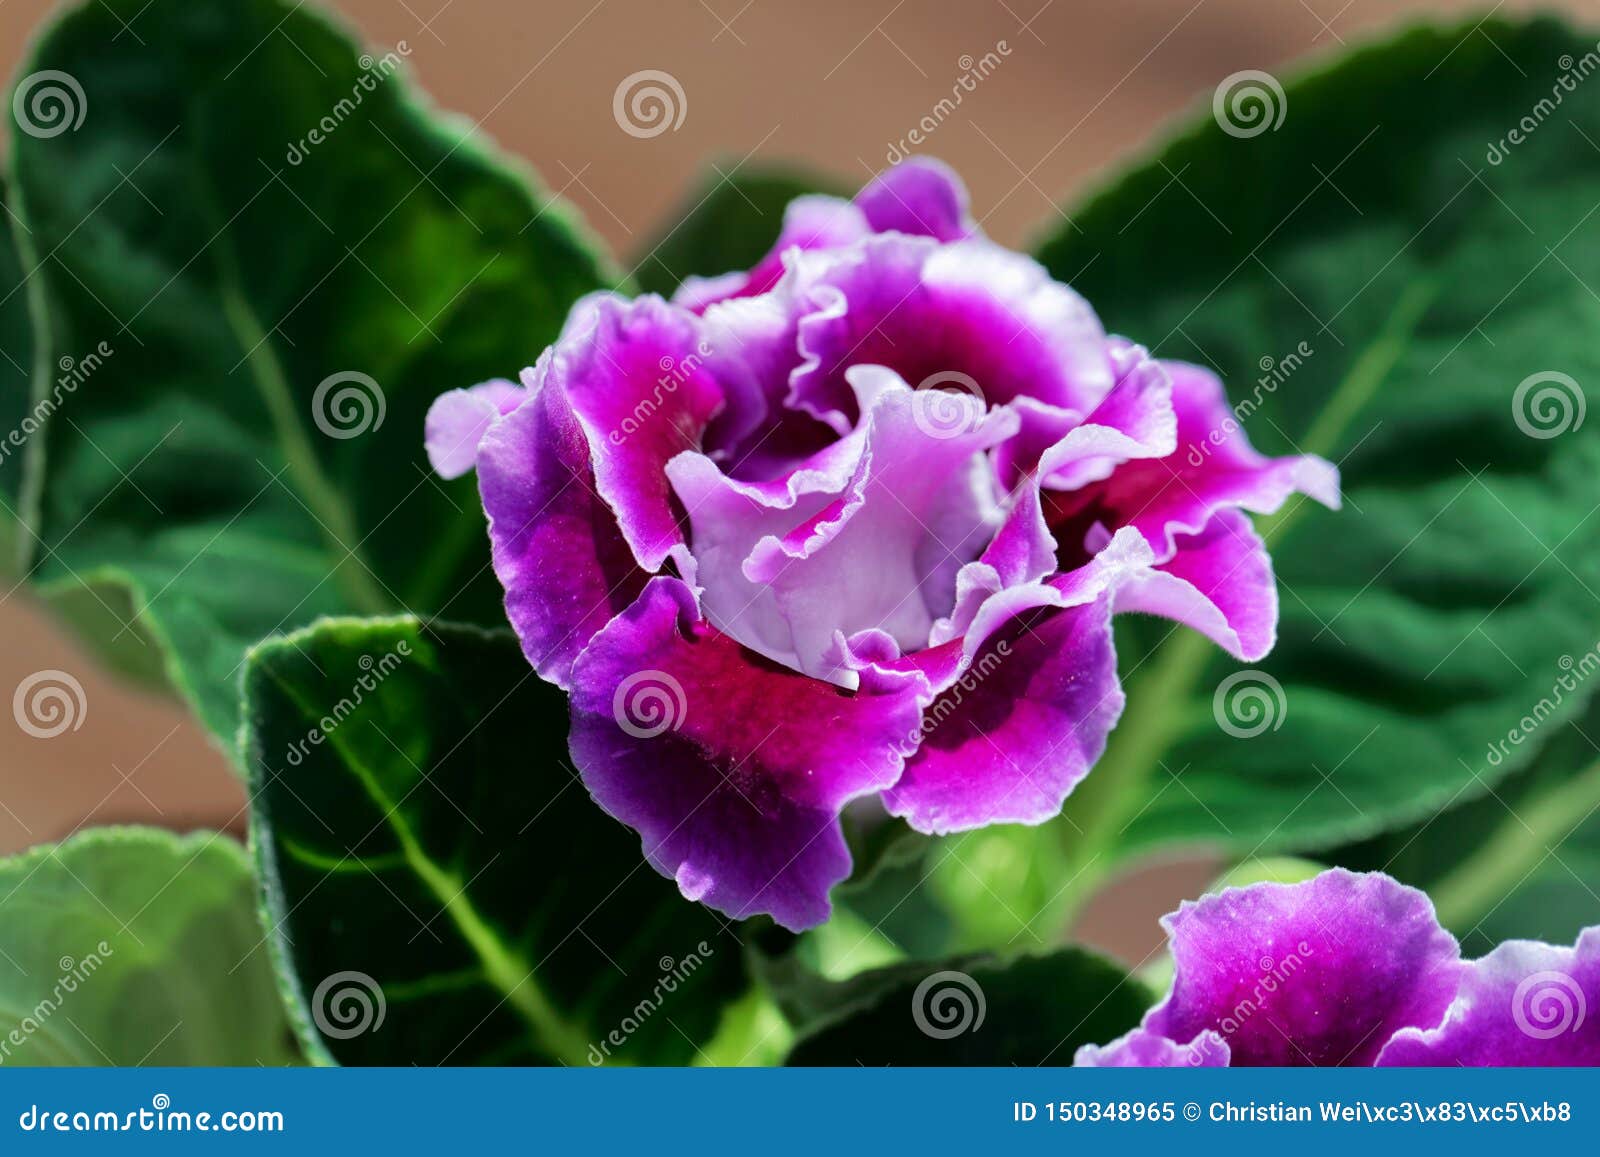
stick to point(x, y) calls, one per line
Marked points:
point(855, 524)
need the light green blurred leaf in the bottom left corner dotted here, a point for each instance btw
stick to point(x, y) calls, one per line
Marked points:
point(134, 947)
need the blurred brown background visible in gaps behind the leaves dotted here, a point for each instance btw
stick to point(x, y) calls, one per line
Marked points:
point(831, 84)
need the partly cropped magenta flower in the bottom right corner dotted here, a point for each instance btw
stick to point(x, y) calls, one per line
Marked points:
point(1354, 971)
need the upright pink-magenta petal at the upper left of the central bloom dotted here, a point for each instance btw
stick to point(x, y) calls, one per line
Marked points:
point(639, 377)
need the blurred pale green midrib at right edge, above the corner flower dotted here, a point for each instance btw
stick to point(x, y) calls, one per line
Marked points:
point(1482, 881)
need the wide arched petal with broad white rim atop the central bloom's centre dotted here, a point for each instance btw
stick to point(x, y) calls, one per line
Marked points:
point(970, 316)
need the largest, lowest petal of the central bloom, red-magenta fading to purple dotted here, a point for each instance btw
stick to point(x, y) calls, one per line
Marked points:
point(732, 771)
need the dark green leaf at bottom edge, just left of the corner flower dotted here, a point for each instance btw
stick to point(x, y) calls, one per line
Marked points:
point(1031, 1011)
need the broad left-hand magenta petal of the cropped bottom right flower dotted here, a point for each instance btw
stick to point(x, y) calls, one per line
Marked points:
point(1316, 974)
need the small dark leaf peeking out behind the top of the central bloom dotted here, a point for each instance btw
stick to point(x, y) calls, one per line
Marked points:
point(730, 223)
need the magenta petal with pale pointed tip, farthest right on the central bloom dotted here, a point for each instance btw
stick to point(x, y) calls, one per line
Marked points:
point(1215, 468)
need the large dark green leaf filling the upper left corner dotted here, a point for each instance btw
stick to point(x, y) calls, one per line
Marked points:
point(247, 212)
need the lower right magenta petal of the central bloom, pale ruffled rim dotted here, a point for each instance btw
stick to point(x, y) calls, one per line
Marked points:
point(1026, 710)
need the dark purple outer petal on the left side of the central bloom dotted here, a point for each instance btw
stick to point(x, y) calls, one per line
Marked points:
point(554, 543)
